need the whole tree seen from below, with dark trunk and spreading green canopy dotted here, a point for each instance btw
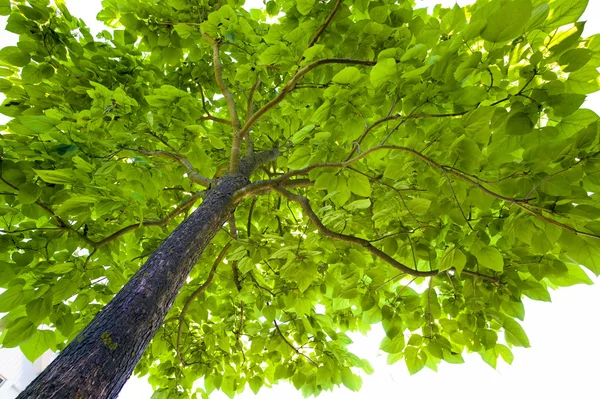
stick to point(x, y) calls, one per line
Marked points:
point(351, 163)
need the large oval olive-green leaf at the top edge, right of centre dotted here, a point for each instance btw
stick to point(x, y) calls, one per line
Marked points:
point(508, 21)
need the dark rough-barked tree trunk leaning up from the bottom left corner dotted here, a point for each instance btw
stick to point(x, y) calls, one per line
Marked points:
point(97, 363)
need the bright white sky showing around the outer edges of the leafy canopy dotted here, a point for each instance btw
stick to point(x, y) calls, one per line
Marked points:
point(563, 359)
